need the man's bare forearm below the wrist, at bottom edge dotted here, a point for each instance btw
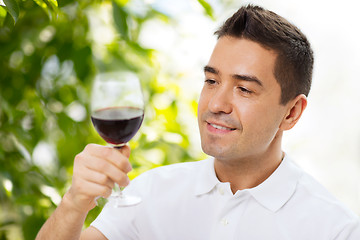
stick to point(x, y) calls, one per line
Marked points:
point(65, 223)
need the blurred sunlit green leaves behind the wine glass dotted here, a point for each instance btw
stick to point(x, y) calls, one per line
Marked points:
point(47, 63)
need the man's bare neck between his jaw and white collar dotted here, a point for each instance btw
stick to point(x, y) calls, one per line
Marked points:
point(250, 171)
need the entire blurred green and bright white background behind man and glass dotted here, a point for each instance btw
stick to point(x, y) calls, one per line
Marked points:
point(50, 51)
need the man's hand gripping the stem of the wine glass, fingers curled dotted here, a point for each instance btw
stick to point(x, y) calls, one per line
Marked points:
point(96, 170)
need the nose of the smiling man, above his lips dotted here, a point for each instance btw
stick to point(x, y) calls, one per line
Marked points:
point(220, 102)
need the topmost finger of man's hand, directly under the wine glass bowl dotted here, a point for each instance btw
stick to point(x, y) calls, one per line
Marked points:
point(112, 155)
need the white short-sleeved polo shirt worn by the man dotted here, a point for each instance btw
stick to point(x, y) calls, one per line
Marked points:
point(186, 201)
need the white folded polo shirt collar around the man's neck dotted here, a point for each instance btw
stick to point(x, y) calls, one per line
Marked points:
point(273, 193)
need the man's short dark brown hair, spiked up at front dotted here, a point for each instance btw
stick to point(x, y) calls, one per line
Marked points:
point(295, 60)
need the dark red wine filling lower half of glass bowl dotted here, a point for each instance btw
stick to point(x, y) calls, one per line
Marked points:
point(117, 125)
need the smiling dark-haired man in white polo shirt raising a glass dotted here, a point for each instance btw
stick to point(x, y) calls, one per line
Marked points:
point(256, 83)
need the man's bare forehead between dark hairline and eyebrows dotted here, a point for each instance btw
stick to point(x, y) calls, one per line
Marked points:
point(244, 57)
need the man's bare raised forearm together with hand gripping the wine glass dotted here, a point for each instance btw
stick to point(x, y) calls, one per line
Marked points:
point(96, 169)
